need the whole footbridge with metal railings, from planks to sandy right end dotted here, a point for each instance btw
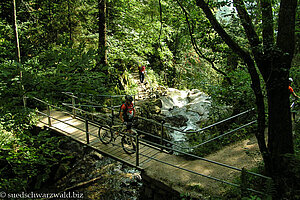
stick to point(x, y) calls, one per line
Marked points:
point(80, 118)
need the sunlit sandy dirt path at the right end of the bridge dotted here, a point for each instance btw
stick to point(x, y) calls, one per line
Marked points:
point(183, 181)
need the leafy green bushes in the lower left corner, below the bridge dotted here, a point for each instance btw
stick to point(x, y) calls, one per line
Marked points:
point(24, 155)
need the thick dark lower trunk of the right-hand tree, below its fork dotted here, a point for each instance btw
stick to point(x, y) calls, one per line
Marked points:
point(280, 141)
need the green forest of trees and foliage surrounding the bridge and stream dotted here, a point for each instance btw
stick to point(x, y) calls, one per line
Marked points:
point(240, 53)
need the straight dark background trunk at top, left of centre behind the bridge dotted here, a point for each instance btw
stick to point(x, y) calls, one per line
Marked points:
point(102, 52)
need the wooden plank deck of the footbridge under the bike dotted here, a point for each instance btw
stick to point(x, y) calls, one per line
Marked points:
point(75, 128)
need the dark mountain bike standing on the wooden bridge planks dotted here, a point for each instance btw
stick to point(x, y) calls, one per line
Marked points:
point(109, 134)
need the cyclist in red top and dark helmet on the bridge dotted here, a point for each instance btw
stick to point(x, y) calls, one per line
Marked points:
point(127, 112)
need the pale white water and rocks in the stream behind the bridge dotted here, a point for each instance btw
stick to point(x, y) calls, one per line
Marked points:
point(193, 104)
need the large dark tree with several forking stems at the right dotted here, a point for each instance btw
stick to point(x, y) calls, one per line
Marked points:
point(272, 57)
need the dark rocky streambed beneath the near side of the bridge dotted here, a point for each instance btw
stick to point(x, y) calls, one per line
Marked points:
point(86, 172)
